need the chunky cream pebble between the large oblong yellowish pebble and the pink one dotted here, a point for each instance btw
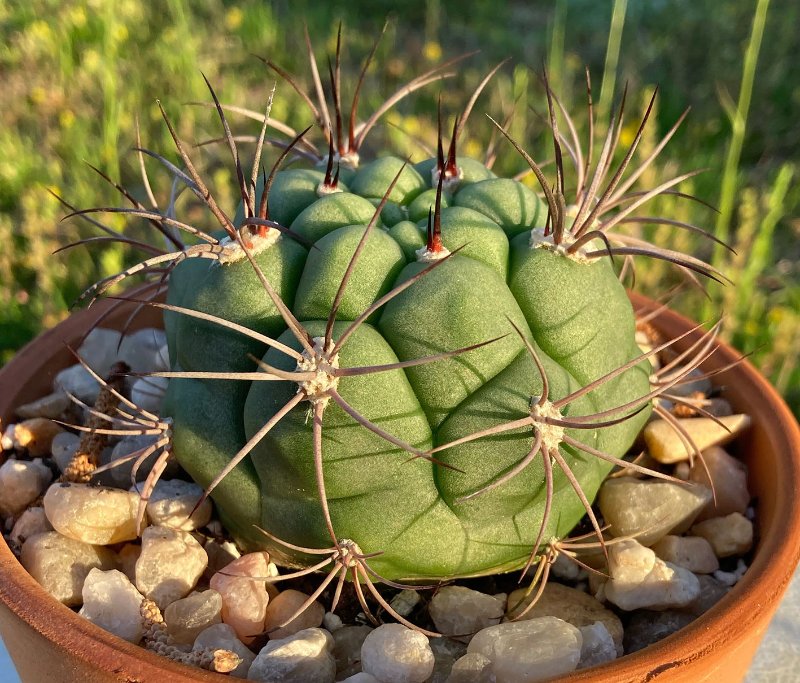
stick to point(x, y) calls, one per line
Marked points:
point(170, 564)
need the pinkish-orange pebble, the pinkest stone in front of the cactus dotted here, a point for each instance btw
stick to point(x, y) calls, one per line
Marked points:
point(244, 599)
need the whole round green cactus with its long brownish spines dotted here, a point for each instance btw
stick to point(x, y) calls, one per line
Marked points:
point(417, 370)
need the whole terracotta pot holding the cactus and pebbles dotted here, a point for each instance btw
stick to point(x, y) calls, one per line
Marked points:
point(47, 641)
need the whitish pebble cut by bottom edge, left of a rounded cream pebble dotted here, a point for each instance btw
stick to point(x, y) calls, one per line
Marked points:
point(304, 657)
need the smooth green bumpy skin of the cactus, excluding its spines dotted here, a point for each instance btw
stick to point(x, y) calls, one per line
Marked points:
point(576, 314)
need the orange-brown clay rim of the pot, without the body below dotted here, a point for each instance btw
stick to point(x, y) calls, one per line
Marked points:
point(745, 611)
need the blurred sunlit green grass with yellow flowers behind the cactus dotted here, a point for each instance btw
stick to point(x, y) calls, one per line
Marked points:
point(74, 77)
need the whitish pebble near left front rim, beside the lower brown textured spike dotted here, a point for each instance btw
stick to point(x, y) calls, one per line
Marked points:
point(112, 602)
